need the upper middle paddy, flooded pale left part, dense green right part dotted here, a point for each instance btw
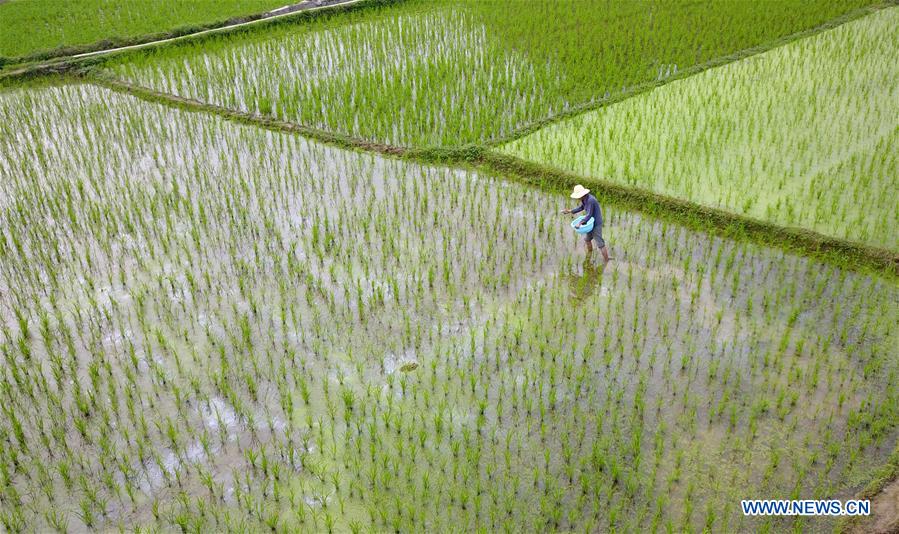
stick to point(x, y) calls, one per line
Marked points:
point(451, 73)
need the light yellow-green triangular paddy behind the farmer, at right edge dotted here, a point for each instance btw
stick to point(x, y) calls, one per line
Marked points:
point(792, 136)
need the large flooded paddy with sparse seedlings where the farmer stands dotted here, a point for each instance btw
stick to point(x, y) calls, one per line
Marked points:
point(209, 326)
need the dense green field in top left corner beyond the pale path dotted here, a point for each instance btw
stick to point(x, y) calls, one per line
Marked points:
point(29, 27)
